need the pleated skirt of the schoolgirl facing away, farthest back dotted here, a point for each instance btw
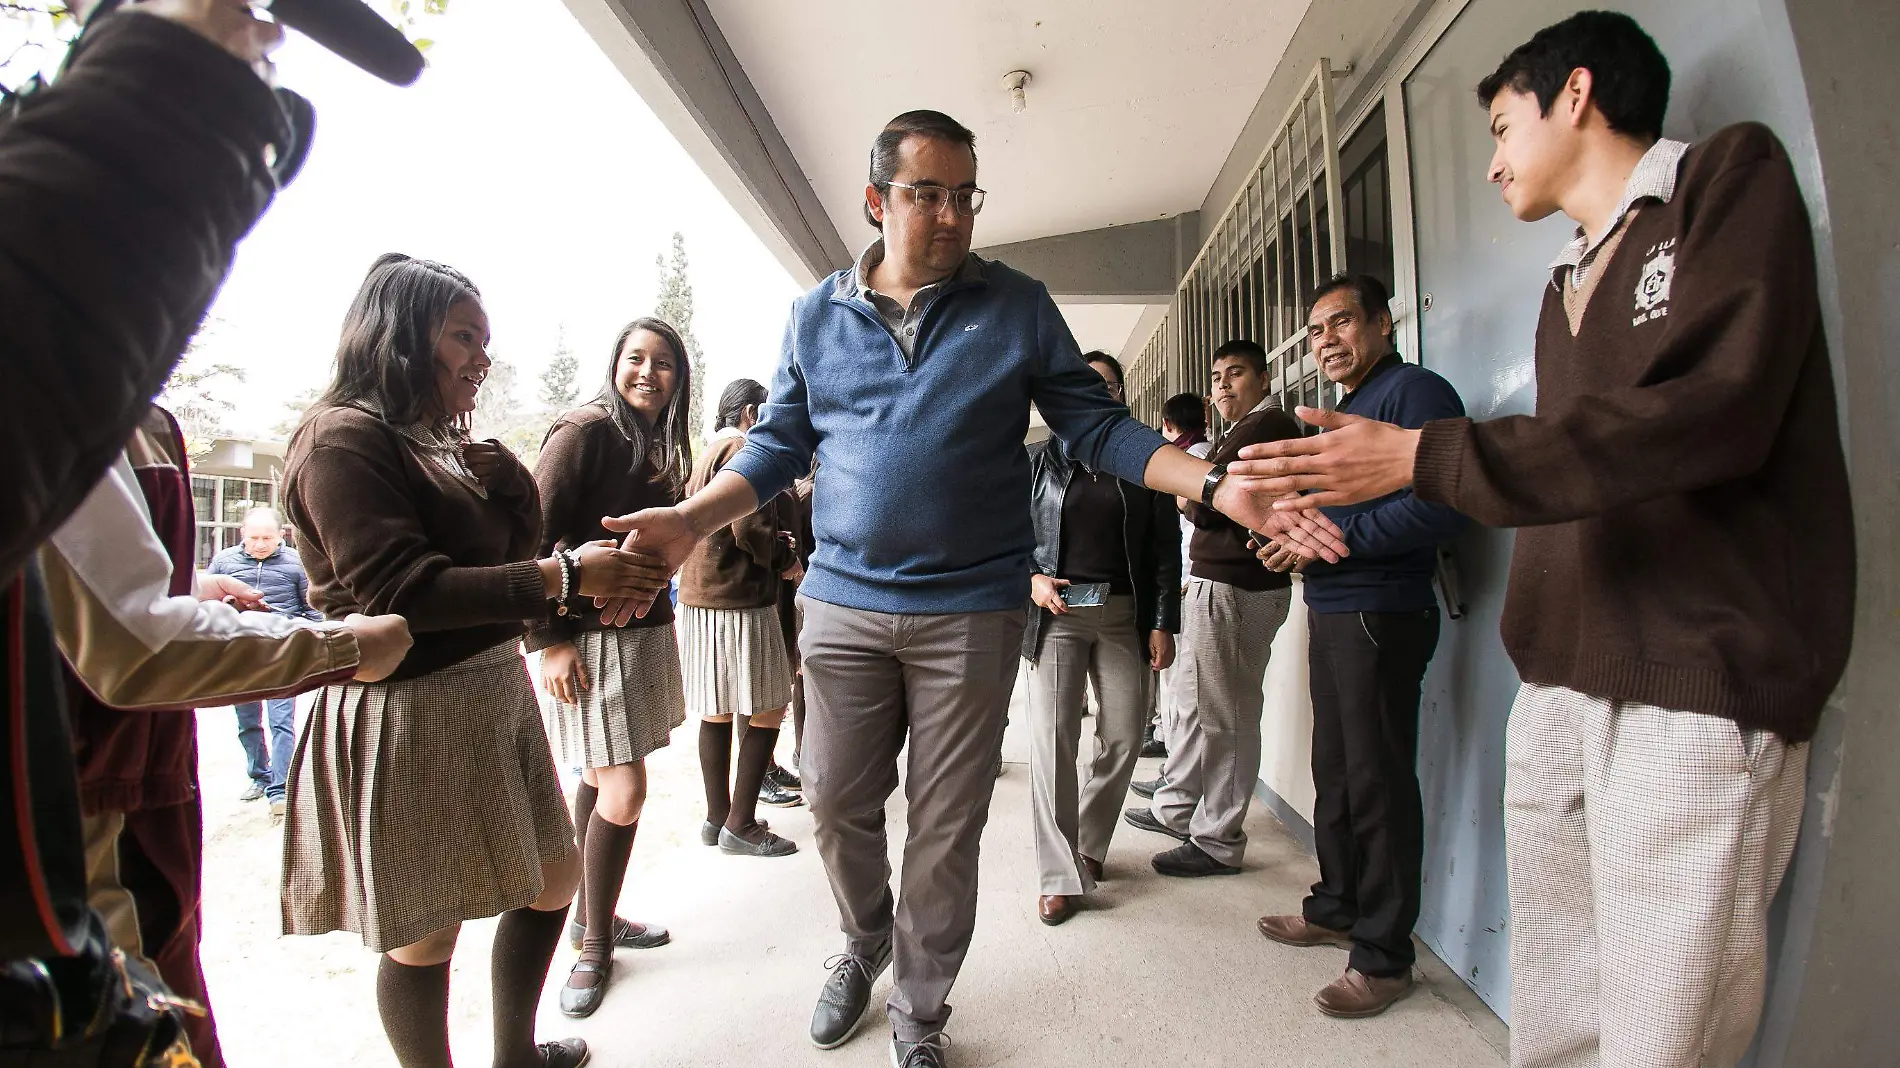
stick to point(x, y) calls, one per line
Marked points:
point(734, 660)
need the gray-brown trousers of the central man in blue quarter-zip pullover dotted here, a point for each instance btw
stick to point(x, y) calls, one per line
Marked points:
point(945, 681)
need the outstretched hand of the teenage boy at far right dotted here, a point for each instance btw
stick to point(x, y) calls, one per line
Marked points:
point(1356, 461)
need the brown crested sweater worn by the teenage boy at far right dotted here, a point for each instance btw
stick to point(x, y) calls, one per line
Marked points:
point(1688, 539)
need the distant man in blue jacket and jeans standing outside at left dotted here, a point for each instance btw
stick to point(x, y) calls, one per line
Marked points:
point(278, 575)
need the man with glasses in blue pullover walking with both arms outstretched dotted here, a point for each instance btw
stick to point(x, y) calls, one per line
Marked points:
point(911, 377)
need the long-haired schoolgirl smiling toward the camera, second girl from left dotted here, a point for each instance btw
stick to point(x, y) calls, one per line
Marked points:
point(615, 691)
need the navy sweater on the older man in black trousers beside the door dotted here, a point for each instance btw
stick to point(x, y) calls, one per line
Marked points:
point(1394, 539)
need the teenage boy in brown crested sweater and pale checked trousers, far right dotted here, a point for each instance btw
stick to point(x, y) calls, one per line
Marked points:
point(1682, 590)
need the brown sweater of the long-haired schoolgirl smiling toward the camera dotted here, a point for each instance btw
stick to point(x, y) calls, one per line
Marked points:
point(588, 472)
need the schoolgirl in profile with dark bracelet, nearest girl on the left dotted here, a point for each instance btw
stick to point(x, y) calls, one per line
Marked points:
point(432, 799)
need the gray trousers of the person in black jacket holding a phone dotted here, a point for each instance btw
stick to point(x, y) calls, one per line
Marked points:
point(1105, 647)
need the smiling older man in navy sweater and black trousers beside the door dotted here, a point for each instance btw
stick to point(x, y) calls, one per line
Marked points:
point(1373, 626)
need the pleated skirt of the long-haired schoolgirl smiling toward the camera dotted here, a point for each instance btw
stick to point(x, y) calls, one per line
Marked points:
point(632, 704)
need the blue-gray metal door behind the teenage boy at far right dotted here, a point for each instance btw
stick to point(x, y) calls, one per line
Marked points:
point(1485, 273)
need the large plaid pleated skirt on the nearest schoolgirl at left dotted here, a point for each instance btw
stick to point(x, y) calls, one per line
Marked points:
point(423, 803)
